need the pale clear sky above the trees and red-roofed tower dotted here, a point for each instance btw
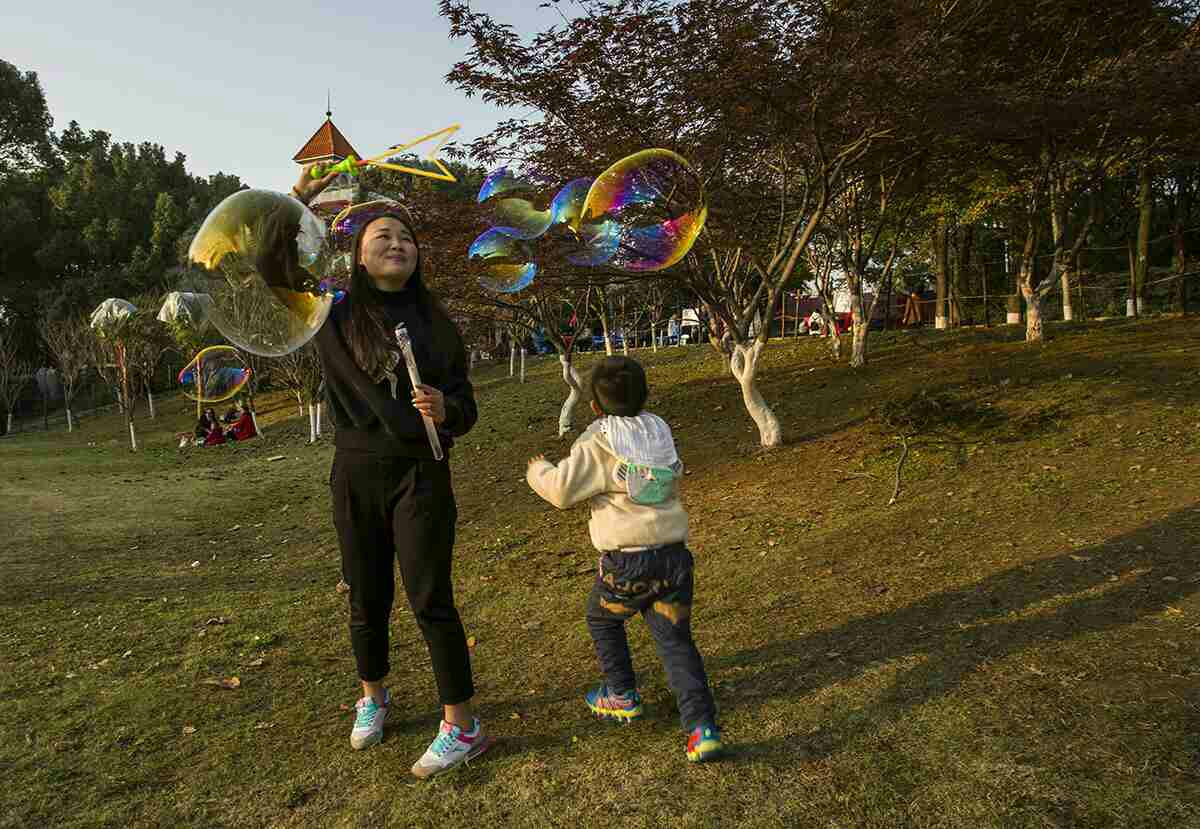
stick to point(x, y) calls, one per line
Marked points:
point(241, 87)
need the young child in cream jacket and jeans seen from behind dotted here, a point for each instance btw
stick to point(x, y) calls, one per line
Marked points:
point(627, 465)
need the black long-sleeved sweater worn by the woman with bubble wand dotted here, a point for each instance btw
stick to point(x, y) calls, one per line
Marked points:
point(365, 414)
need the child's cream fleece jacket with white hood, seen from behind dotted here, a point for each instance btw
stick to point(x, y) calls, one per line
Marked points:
point(591, 472)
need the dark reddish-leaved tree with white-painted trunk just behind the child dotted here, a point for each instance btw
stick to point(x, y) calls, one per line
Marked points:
point(749, 100)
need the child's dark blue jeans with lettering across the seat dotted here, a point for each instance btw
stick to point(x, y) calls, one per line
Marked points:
point(657, 584)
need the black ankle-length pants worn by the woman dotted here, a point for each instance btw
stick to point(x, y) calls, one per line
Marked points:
point(400, 509)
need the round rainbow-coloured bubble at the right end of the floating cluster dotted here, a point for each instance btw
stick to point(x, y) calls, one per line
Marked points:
point(658, 203)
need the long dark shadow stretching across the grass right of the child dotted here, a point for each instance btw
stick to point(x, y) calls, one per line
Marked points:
point(1089, 591)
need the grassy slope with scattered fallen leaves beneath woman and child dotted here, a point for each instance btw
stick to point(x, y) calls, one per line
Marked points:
point(1015, 644)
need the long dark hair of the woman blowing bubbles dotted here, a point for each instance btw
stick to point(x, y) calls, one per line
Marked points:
point(371, 341)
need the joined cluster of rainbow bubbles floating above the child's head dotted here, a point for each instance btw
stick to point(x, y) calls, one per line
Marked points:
point(643, 214)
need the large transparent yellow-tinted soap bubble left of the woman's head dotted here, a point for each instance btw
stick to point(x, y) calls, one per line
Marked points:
point(260, 257)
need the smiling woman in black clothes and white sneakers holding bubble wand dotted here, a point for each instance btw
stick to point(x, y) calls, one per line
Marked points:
point(392, 500)
